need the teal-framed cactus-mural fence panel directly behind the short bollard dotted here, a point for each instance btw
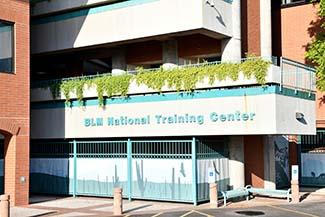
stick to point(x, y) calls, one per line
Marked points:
point(100, 167)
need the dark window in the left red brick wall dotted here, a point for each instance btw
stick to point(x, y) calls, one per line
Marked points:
point(6, 47)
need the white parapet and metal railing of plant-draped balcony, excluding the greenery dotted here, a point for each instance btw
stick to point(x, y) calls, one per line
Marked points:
point(285, 73)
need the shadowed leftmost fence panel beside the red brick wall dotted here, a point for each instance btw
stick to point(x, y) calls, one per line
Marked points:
point(50, 168)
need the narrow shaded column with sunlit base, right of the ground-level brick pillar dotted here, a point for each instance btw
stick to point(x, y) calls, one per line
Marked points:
point(269, 162)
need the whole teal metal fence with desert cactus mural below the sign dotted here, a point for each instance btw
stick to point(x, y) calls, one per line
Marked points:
point(172, 170)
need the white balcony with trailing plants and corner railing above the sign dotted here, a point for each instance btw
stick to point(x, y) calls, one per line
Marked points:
point(289, 74)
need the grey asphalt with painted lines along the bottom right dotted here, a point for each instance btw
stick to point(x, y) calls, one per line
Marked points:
point(315, 209)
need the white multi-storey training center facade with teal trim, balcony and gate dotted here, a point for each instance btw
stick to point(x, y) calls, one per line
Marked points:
point(151, 95)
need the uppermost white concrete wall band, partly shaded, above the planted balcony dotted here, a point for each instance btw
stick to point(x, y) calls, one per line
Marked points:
point(128, 20)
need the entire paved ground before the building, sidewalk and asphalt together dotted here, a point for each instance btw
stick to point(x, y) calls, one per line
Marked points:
point(99, 207)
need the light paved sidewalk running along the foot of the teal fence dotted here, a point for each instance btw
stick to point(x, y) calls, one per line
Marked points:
point(89, 206)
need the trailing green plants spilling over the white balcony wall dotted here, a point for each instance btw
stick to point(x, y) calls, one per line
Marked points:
point(179, 78)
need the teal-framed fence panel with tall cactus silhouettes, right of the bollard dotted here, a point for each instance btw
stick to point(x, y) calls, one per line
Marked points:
point(162, 170)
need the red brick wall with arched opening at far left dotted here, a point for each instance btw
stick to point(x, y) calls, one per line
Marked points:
point(14, 106)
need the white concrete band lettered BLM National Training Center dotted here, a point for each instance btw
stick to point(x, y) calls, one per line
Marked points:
point(55, 121)
